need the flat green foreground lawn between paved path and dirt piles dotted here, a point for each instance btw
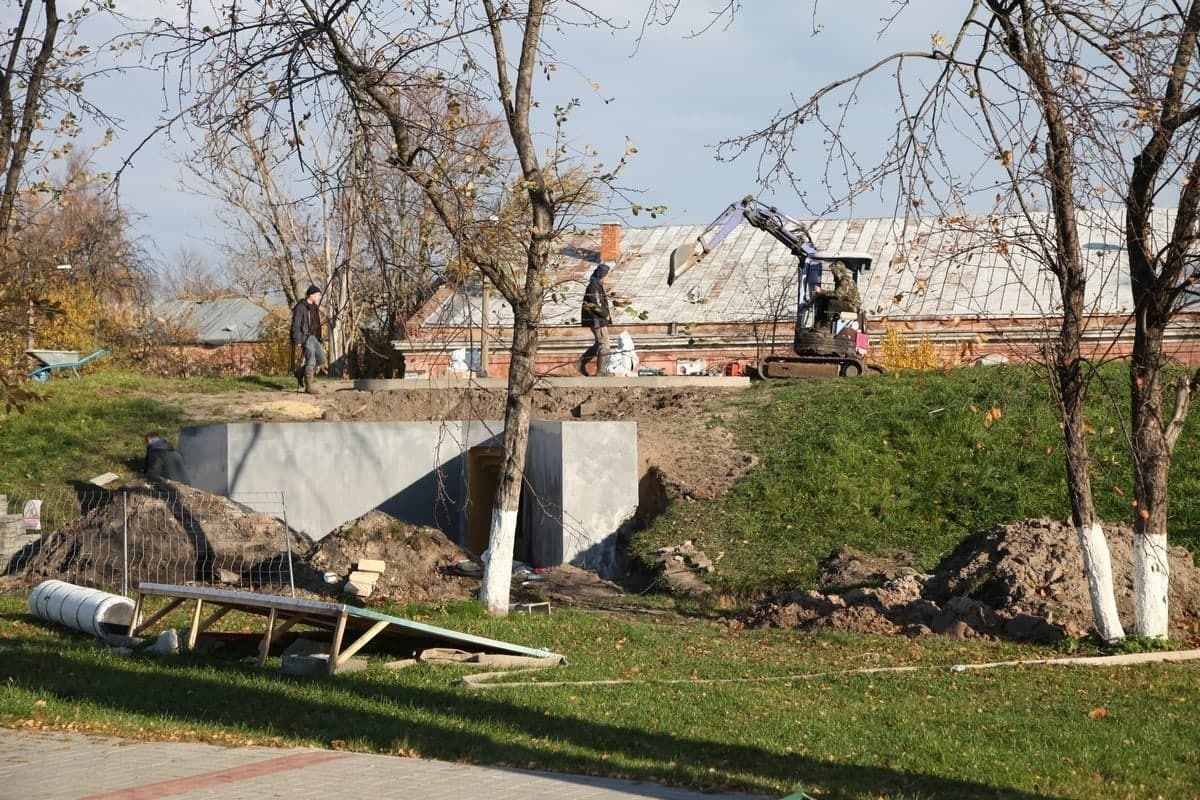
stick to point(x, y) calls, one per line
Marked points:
point(934, 733)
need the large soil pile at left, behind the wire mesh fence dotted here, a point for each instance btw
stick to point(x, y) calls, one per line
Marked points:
point(176, 534)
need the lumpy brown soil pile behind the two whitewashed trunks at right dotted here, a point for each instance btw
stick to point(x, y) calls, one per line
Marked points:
point(1023, 581)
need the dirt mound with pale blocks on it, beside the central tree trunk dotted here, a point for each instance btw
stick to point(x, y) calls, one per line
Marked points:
point(417, 561)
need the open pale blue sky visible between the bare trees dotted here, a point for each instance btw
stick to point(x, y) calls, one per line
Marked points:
point(674, 95)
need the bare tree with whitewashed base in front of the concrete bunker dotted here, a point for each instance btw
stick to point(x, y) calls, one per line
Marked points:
point(304, 57)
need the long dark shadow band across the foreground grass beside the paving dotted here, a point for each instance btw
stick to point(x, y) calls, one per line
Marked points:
point(447, 725)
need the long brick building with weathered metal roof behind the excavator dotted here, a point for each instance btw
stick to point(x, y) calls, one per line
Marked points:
point(970, 286)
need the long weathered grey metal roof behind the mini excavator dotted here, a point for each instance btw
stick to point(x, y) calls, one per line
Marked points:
point(969, 268)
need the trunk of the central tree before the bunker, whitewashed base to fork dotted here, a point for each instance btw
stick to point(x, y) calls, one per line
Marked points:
point(499, 569)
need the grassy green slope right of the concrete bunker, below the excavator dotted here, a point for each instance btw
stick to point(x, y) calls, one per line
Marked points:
point(913, 462)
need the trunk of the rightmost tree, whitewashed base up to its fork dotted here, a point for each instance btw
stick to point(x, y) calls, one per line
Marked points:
point(1151, 468)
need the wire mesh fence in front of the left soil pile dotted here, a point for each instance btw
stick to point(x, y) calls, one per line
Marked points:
point(157, 532)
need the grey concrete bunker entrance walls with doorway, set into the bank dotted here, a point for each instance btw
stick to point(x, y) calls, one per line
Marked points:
point(581, 479)
